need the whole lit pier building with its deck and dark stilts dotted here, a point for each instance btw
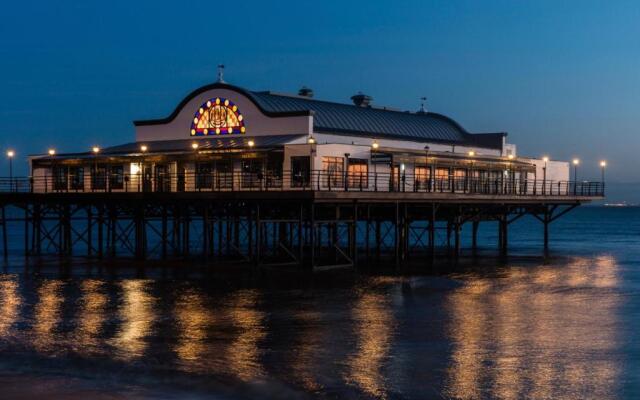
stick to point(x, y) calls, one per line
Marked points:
point(287, 179)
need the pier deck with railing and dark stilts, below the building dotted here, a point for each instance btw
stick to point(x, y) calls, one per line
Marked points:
point(270, 224)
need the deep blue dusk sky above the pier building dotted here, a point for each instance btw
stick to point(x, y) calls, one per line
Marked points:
point(561, 77)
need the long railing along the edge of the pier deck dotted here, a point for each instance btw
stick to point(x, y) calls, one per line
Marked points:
point(300, 181)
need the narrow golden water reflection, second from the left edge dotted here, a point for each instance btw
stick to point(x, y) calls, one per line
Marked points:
point(47, 314)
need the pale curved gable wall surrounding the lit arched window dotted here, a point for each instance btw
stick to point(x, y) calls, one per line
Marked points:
point(256, 123)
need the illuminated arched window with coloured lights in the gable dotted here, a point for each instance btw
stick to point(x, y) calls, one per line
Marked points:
point(217, 116)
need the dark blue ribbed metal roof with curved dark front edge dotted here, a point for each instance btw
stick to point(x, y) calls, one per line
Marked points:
point(332, 117)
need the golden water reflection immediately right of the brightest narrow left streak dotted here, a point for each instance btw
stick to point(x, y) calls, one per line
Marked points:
point(194, 321)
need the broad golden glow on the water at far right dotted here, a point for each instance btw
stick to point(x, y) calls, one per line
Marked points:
point(526, 335)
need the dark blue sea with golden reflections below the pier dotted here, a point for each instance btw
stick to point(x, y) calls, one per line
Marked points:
point(565, 327)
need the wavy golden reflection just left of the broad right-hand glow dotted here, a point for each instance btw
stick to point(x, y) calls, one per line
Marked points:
point(374, 328)
